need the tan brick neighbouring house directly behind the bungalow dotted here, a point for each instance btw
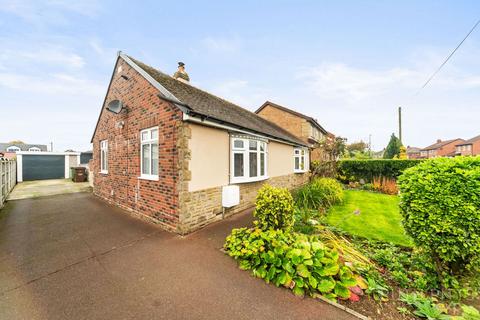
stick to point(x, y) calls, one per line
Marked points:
point(306, 128)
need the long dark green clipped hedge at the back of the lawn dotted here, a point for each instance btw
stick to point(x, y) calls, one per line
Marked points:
point(354, 170)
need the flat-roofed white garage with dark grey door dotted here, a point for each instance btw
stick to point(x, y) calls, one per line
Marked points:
point(34, 165)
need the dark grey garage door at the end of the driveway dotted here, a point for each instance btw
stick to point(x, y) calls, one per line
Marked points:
point(39, 167)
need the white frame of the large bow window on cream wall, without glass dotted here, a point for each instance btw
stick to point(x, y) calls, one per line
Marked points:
point(245, 151)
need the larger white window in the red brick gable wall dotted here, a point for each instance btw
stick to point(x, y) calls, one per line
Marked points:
point(149, 154)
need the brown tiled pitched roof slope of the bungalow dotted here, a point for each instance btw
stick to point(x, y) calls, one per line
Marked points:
point(202, 103)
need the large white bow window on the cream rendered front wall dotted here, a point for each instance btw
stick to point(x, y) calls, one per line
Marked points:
point(248, 160)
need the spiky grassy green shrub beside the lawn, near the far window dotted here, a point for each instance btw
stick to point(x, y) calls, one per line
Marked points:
point(321, 193)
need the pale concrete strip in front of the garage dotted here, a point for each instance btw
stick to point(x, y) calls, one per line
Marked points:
point(43, 188)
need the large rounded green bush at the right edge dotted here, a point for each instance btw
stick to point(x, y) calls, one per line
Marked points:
point(440, 204)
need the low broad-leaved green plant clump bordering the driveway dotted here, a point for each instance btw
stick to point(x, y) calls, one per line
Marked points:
point(299, 262)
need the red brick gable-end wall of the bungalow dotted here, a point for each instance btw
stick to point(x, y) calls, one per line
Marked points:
point(155, 199)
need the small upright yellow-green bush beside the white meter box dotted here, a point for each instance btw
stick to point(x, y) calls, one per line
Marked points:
point(274, 208)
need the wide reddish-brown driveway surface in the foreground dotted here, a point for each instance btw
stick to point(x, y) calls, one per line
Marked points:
point(75, 257)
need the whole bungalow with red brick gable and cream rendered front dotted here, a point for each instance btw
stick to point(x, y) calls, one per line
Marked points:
point(182, 157)
